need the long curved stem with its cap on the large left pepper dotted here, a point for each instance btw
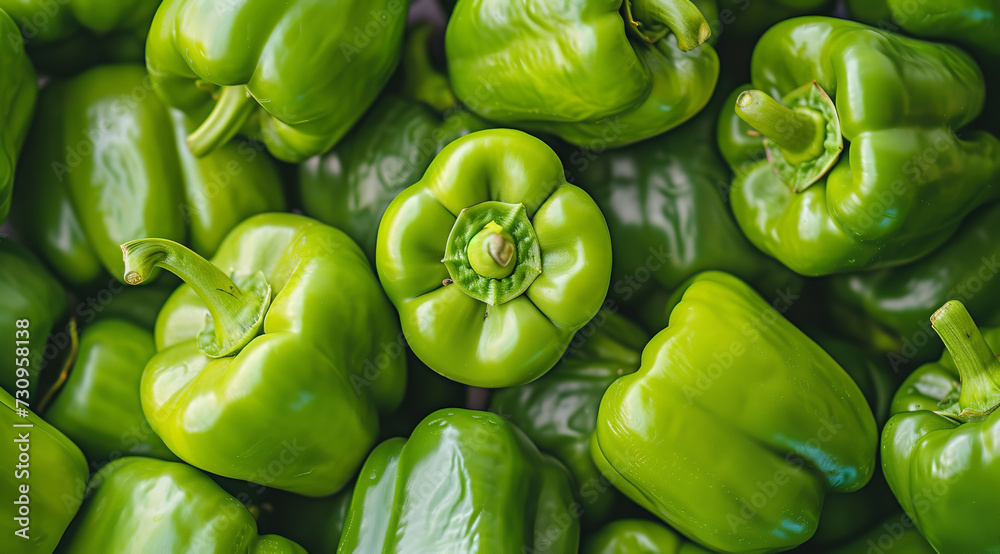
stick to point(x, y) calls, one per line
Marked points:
point(237, 305)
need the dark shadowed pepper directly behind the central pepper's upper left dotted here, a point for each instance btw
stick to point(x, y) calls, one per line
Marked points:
point(350, 186)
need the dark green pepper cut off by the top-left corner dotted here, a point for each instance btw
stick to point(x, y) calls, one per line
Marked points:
point(64, 36)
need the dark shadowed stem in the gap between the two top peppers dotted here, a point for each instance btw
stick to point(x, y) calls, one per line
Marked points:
point(421, 80)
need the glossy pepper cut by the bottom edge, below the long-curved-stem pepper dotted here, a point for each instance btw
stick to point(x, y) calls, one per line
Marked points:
point(148, 505)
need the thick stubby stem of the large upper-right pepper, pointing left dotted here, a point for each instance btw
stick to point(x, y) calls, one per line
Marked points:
point(798, 131)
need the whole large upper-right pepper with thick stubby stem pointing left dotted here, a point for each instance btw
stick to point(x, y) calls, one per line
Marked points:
point(902, 185)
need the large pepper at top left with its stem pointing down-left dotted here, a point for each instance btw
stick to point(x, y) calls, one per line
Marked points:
point(253, 65)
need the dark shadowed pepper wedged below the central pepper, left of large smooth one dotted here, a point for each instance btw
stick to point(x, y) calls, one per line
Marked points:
point(558, 412)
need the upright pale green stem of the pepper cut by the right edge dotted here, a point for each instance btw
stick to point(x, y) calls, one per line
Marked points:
point(978, 366)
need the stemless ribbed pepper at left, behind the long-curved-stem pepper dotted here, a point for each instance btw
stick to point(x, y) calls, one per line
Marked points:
point(105, 163)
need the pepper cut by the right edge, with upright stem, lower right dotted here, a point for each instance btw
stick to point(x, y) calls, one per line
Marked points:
point(939, 452)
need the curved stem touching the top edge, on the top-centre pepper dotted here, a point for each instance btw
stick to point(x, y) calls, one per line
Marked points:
point(652, 19)
